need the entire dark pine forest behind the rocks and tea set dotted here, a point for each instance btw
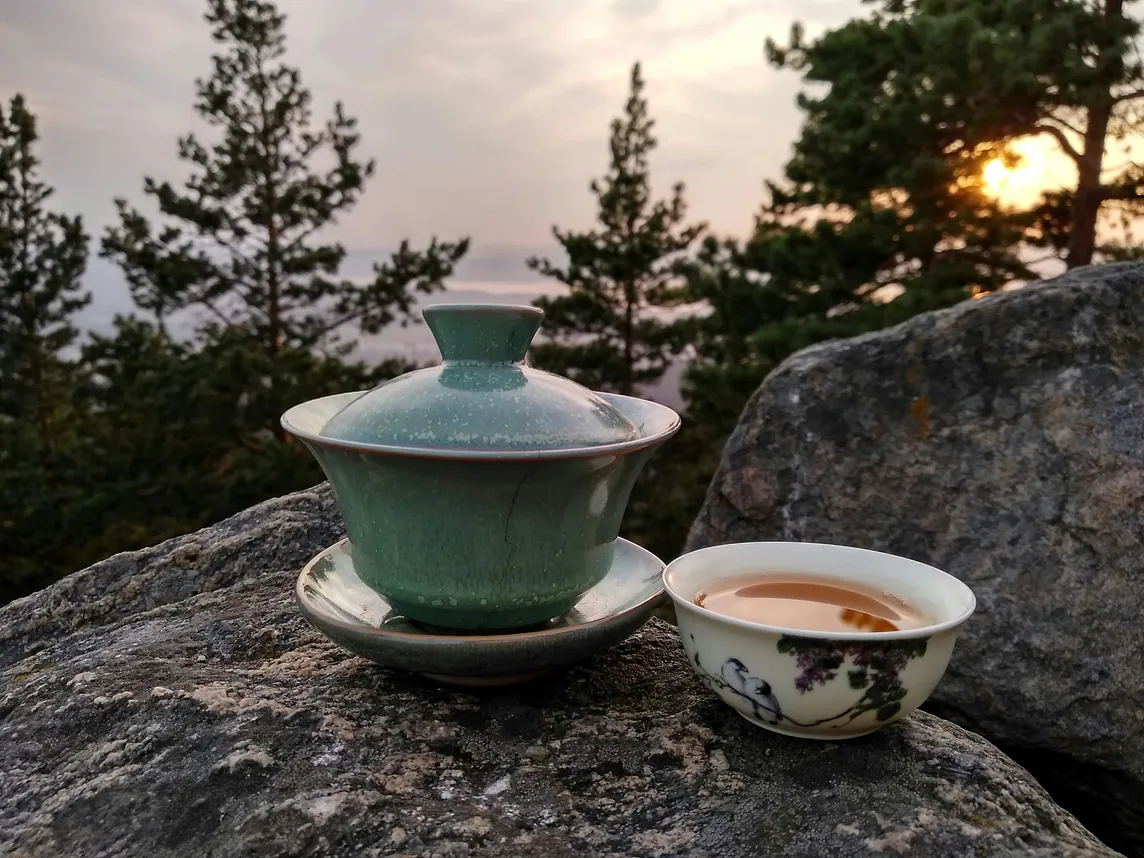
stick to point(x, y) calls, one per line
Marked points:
point(916, 117)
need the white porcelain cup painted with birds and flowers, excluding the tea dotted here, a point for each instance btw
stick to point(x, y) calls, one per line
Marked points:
point(819, 685)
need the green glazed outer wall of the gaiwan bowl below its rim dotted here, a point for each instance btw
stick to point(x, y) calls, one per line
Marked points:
point(481, 545)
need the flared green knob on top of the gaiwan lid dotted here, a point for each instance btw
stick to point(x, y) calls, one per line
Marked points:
point(483, 333)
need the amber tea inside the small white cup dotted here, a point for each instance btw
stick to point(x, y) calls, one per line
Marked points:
point(811, 603)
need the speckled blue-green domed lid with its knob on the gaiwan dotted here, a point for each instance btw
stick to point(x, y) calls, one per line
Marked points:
point(482, 396)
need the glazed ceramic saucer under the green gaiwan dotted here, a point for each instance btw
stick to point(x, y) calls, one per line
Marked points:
point(336, 602)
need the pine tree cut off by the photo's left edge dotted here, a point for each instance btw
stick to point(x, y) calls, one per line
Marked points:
point(43, 257)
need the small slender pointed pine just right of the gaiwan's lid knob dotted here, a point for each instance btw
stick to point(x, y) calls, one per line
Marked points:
point(602, 333)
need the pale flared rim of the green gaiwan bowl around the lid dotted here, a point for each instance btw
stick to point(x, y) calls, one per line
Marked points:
point(671, 425)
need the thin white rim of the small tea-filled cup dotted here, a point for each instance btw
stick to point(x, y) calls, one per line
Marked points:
point(935, 629)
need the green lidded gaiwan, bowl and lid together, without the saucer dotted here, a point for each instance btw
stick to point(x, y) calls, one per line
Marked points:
point(482, 494)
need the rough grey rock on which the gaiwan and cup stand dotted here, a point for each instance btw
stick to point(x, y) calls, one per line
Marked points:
point(190, 712)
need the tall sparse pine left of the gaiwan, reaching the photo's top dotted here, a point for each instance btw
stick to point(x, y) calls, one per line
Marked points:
point(241, 241)
